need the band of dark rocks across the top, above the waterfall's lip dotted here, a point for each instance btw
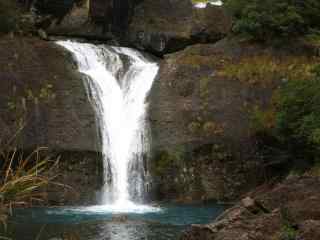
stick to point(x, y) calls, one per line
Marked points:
point(160, 26)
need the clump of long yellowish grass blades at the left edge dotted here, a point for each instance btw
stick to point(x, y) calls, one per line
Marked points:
point(24, 179)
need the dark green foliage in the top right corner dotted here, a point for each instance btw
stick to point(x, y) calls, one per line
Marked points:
point(267, 20)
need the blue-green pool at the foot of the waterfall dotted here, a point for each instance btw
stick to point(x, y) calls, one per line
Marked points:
point(84, 223)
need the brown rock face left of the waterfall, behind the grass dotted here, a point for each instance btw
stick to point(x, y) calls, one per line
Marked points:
point(41, 89)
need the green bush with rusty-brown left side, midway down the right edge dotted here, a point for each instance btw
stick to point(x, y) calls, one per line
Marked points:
point(290, 128)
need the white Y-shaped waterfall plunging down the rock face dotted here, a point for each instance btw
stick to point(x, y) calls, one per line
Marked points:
point(119, 82)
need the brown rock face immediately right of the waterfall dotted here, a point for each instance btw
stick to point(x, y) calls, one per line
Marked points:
point(200, 120)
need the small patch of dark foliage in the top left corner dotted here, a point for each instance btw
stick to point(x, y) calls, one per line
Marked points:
point(9, 16)
